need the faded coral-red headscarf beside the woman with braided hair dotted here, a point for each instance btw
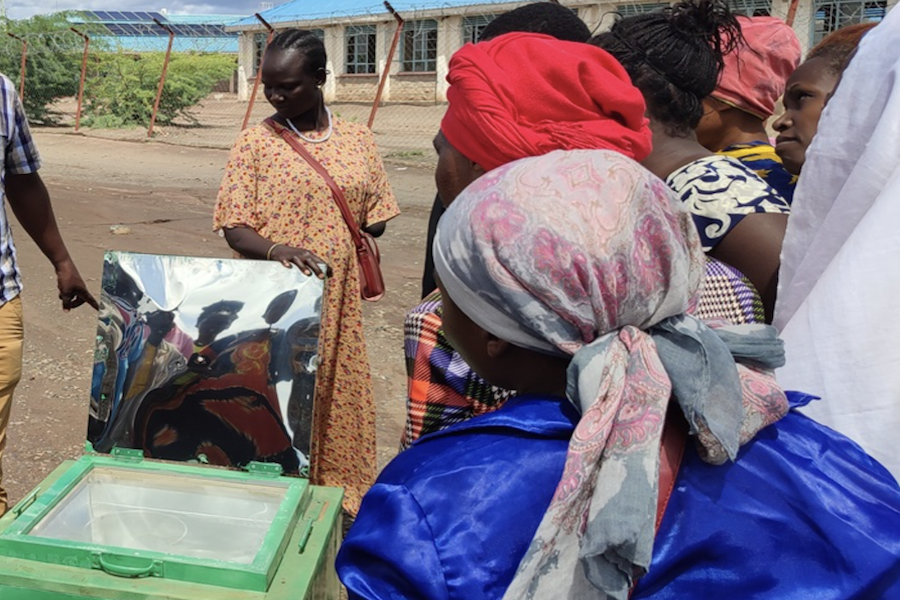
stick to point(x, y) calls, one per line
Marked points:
point(755, 74)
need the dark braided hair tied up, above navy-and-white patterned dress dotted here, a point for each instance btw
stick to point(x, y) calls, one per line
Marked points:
point(674, 56)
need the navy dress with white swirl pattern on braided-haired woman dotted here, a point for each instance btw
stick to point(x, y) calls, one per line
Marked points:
point(719, 191)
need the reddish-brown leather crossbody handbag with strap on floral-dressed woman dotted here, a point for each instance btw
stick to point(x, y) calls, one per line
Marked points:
point(371, 281)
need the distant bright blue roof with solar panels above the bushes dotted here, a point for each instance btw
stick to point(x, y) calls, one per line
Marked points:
point(136, 31)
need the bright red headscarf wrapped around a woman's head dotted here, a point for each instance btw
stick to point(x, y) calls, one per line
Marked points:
point(527, 94)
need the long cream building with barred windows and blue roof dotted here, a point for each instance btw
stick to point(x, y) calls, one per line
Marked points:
point(358, 34)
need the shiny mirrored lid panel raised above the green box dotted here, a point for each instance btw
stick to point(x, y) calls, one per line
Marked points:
point(206, 359)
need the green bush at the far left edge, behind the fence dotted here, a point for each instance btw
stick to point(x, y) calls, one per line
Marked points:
point(53, 68)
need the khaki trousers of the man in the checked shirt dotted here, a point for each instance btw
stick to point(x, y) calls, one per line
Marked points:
point(11, 337)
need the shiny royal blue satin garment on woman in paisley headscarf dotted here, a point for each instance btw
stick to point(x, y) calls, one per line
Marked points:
point(803, 513)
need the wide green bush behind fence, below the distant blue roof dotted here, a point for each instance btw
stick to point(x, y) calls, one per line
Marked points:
point(122, 88)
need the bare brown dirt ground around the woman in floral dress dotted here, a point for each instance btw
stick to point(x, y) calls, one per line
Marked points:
point(164, 194)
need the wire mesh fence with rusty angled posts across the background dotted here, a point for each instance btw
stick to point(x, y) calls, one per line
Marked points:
point(209, 75)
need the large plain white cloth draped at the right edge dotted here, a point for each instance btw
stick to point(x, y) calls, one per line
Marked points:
point(840, 273)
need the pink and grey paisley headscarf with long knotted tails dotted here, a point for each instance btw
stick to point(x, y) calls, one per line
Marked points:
point(586, 253)
